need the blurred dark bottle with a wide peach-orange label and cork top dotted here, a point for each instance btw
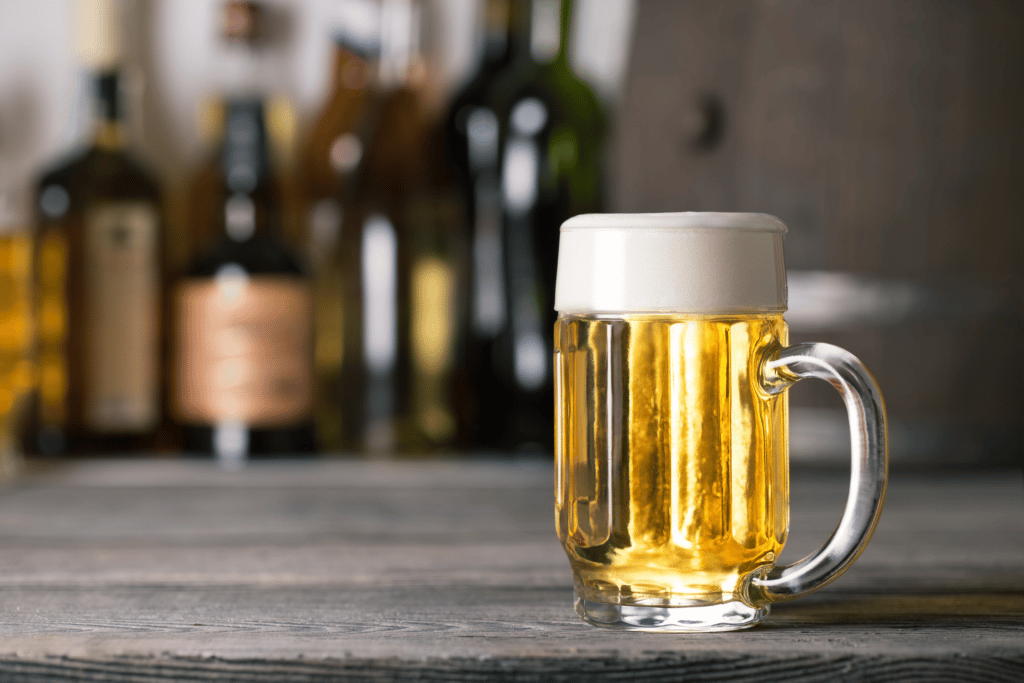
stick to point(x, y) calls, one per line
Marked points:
point(244, 327)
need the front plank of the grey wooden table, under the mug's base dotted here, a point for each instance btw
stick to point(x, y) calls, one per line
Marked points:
point(479, 632)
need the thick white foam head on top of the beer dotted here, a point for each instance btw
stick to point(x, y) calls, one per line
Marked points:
point(690, 263)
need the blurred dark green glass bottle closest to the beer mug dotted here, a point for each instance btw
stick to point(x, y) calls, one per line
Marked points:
point(525, 142)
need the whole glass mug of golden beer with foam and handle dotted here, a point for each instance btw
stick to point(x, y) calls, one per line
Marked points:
point(672, 362)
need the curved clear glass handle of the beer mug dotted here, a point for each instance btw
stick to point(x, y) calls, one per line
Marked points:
point(870, 455)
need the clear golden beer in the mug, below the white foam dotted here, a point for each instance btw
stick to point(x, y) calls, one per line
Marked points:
point(672, 484)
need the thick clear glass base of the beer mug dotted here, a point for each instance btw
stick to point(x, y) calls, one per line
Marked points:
point(697, 619)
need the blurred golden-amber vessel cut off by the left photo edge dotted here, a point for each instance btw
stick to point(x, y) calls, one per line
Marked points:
point(17, 322)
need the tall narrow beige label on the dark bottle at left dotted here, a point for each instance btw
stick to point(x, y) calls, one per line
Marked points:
point(122, 318)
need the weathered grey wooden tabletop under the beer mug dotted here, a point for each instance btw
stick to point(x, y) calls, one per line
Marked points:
point(153, 571)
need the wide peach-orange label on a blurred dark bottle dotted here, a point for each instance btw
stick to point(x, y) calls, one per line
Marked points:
point(245, 350)
